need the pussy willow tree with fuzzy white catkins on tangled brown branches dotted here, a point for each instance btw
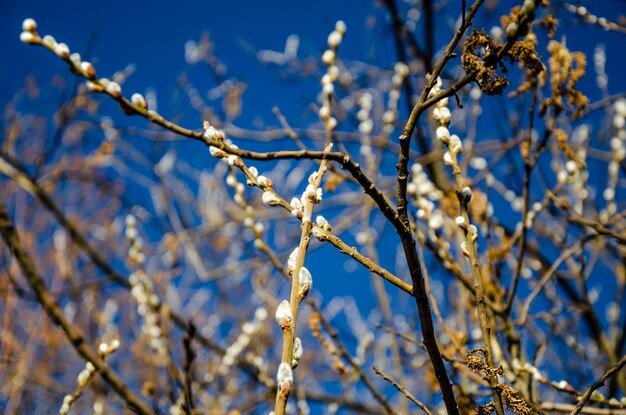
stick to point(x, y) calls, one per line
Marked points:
point(490, 249)
